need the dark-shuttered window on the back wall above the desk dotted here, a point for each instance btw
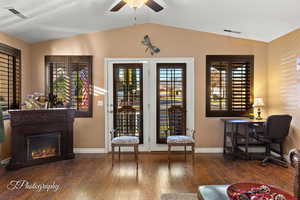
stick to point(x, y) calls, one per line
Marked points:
point(229, 87)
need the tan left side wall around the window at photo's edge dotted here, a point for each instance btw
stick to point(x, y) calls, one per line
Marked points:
point(26, 79)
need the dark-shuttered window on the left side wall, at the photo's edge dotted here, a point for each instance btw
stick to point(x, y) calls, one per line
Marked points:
point(10, 77)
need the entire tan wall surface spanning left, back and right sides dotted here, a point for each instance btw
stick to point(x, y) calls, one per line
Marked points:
point(281, 76)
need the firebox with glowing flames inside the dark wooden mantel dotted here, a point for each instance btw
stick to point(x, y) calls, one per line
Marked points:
point(43, 146)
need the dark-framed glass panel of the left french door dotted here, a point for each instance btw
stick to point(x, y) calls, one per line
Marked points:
point(128, 100)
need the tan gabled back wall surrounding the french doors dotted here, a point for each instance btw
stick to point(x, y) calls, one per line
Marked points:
point(126, 43)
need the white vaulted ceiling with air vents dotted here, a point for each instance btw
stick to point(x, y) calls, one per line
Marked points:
point(262, 20)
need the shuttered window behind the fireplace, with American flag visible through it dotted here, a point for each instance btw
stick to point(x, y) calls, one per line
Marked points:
point(70, 79)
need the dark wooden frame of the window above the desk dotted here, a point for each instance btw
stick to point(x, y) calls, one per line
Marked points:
point(230, 59)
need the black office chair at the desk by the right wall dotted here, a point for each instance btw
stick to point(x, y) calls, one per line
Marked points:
point(275, 130)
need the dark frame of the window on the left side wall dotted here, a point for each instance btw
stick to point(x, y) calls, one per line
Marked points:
point(16, 54)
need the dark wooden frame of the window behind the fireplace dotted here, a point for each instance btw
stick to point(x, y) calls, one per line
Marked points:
point(50, 58)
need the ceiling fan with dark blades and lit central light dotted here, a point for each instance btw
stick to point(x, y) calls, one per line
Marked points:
point(136, 4)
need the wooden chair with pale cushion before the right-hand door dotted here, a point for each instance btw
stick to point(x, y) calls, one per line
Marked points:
point(177, 134)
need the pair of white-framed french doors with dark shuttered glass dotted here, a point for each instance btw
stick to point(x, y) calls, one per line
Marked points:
point(149, 98)
